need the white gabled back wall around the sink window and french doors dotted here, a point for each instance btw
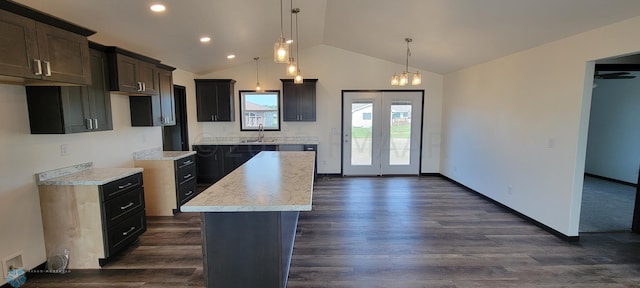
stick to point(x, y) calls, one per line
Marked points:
point(336, 70)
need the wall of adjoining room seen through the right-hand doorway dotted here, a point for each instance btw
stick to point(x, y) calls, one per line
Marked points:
point(612, 147)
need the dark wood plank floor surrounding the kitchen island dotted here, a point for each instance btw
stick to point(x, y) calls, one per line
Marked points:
point(388, 232)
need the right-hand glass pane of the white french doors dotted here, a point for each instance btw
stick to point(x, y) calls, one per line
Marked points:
point(400, 133)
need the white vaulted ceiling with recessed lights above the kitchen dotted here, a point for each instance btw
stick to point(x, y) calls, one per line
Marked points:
point(447, 34)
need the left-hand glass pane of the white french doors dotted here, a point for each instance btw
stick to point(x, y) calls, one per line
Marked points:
point(361, 128)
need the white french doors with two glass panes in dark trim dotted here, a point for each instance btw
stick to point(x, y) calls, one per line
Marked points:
point(381, 132)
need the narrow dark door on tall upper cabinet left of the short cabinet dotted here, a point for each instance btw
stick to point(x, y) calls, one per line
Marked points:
point(99, 96)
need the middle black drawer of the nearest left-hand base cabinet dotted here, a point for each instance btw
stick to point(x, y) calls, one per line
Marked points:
point(120, 207)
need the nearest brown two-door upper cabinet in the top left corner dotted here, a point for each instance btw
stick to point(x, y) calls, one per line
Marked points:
point(36, 46)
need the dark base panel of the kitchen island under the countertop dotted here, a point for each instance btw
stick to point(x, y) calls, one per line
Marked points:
point(248, 249)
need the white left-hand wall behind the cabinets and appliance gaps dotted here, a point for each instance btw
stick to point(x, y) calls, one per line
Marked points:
point(23, 155)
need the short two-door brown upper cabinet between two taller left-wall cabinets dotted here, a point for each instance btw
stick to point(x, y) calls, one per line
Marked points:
point(132, 73)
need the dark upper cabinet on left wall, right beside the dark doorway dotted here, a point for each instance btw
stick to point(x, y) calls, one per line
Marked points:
point(156, 110)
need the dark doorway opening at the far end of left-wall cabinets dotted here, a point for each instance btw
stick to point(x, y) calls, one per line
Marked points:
point(176, 138)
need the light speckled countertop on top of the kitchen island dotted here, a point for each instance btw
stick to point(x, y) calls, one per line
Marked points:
point(270, 181)
